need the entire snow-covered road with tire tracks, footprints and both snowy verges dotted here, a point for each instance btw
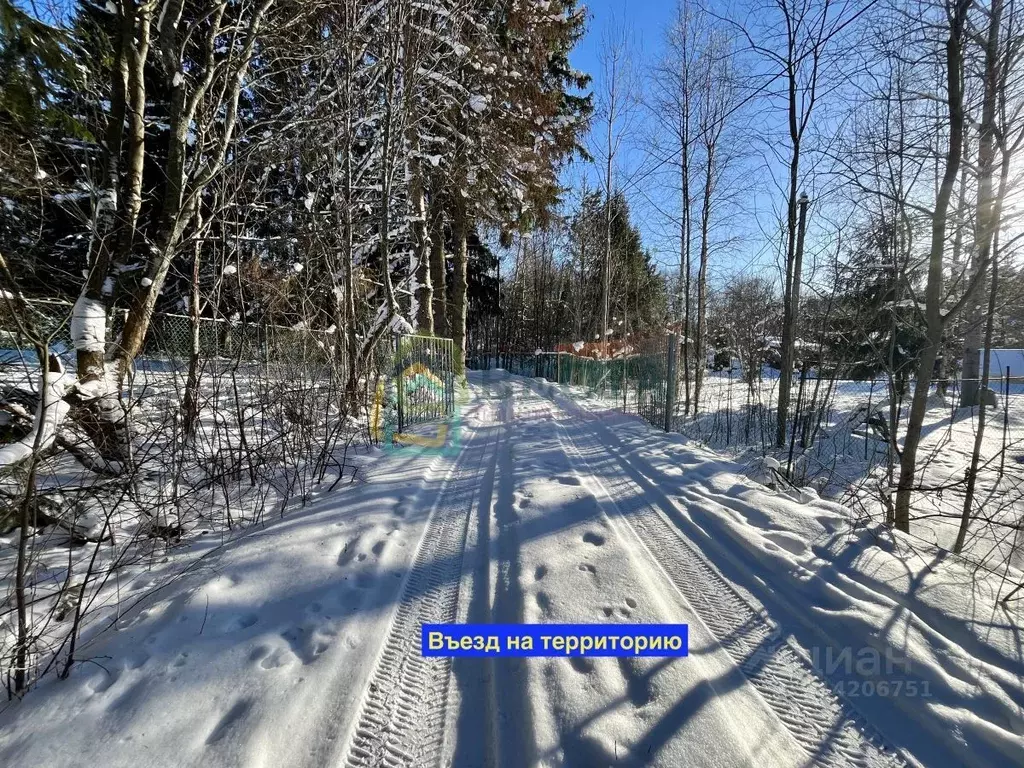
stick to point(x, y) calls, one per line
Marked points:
point(300, 645)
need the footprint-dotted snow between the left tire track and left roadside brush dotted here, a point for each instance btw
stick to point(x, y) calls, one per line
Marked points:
point(235, 653)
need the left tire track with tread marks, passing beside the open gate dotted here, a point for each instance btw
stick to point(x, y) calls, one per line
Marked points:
point(402, 719)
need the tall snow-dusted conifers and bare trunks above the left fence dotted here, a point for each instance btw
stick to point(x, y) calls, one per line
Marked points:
point(336, 163)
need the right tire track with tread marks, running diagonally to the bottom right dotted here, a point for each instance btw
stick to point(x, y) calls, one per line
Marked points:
point(832, 732)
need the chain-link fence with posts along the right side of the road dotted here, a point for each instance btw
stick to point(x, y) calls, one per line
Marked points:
point(843, 437)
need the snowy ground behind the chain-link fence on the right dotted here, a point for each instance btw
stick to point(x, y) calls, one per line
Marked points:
point(847, 461)
